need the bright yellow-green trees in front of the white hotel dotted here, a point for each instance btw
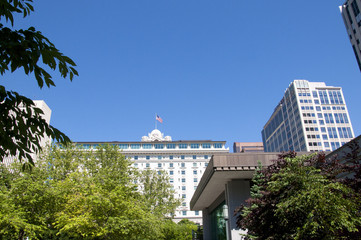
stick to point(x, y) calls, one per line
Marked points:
point(80, 194)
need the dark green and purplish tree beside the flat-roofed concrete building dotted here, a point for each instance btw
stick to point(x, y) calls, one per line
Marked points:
point(304, 197)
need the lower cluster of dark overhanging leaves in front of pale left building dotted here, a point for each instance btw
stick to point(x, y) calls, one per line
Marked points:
point(22, 127)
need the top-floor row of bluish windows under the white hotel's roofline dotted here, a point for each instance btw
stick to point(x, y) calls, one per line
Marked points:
point(158, 146)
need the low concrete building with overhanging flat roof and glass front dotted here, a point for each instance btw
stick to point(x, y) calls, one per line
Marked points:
point(225, 185)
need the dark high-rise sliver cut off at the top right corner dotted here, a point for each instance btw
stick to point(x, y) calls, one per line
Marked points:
point(351, 15)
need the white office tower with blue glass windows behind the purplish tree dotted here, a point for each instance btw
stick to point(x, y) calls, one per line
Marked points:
point(310, 117)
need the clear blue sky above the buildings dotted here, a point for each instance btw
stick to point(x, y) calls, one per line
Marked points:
point(212, 69)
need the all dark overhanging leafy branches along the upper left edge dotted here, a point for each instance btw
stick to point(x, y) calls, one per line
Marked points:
point(21, 125)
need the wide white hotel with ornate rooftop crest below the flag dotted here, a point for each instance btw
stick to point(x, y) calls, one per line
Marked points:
point(184, 161)
